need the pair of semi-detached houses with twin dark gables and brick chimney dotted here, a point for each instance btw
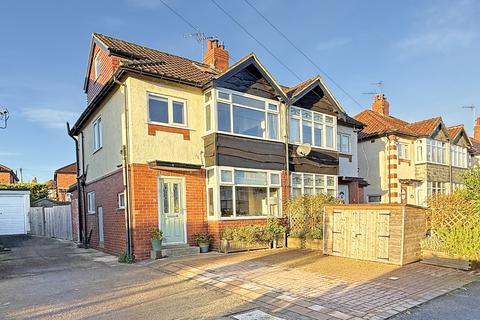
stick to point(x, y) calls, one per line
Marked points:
point(199, 146)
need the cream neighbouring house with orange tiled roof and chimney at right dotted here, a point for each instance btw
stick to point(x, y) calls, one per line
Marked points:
point(405, 162)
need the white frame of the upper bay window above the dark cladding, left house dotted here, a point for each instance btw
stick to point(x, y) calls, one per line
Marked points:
point(215, 99)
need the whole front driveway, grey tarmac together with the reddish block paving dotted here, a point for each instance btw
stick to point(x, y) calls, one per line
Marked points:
point(49, 279)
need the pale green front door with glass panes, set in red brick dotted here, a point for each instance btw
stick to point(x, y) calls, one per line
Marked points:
point(172, 210)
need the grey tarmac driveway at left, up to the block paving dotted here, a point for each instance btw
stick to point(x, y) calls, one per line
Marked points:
point(51, 279)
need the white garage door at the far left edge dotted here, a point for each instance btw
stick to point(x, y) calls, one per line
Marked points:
point(12, 214)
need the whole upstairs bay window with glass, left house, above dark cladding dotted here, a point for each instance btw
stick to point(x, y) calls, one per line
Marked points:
point(242, 114)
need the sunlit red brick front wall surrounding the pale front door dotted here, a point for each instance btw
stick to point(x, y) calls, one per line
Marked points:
point(144, 181)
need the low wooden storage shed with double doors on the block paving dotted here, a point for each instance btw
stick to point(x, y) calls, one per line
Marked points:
point(389, 233)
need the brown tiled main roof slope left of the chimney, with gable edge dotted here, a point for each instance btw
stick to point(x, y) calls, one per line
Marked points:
point(139, 58)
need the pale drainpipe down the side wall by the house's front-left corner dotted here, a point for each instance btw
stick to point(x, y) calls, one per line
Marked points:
point(126, 173)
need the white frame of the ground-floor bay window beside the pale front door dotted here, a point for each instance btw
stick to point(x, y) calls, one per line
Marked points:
point(215, 183)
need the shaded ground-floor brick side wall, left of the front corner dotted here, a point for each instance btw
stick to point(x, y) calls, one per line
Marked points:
point(106, 196)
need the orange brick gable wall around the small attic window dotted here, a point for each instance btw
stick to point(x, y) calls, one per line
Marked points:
point(108, 66)
